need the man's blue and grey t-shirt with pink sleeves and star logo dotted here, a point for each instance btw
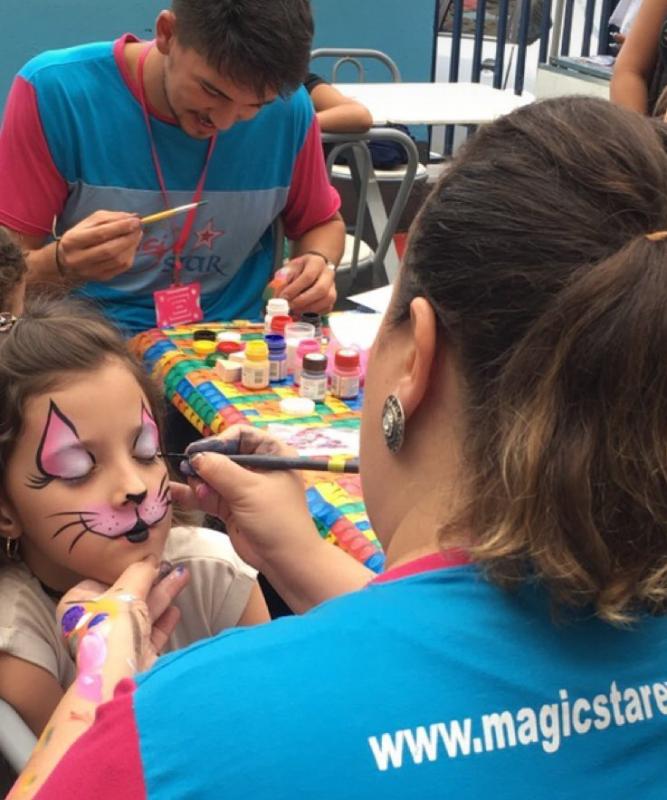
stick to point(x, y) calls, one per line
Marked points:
point(74, 140)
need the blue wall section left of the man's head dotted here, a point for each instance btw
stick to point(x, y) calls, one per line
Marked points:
point(31, 26)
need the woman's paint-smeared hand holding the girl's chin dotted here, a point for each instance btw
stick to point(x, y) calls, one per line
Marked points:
point(144, 594)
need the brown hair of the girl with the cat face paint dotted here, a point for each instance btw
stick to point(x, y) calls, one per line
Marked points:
point(52, 339)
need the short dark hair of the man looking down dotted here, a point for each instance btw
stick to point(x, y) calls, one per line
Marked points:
point(258, 44)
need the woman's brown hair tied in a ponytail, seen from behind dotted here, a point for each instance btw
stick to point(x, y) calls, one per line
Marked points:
point(532, 249)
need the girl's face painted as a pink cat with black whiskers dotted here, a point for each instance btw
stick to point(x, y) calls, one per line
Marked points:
point(86, 487)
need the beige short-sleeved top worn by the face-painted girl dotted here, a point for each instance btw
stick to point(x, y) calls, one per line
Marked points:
point(214, 599)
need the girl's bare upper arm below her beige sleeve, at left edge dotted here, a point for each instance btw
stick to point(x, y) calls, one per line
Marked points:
point(31, 691)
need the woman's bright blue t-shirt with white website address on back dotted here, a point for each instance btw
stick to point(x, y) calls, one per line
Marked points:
point(434, 685)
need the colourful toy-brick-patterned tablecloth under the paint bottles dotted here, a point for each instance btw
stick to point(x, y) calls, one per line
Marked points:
point(192, 385)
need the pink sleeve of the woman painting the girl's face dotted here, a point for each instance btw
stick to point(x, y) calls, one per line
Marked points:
point(105, 762)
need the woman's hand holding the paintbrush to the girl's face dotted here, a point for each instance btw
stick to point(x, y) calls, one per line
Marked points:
point(264, 512)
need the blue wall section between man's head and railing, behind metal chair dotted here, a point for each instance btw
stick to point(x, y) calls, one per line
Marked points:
point(405, 31)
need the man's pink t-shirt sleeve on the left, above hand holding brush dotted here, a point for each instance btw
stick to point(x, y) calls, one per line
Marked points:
point(32, 190)
